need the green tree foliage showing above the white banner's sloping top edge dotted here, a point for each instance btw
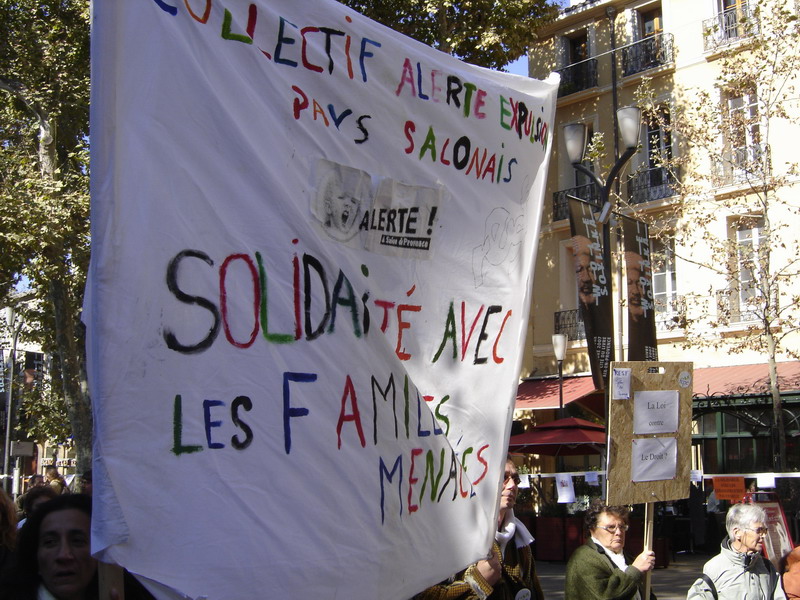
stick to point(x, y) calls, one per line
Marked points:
point(488, 33)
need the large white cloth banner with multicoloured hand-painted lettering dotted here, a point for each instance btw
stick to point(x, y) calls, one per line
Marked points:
point(313, 242)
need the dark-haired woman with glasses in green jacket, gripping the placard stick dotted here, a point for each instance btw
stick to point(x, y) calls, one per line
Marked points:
point(600, 569)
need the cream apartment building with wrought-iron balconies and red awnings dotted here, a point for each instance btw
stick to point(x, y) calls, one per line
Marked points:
point(604, 51)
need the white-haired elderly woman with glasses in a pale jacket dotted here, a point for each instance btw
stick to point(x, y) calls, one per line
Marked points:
point(739, 571)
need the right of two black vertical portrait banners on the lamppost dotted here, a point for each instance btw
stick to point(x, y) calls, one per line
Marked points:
point(642, 344)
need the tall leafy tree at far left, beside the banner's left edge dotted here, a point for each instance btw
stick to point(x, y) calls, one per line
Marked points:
point(44, 199)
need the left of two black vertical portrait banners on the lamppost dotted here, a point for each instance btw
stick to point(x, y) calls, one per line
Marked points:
point(594, 288)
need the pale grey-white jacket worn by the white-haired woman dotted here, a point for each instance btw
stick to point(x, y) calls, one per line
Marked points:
point(738, 576)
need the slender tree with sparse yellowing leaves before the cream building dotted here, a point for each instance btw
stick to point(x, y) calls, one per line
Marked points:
point(727, 164)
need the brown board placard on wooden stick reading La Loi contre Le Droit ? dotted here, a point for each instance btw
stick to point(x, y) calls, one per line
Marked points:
point(650, 438)
